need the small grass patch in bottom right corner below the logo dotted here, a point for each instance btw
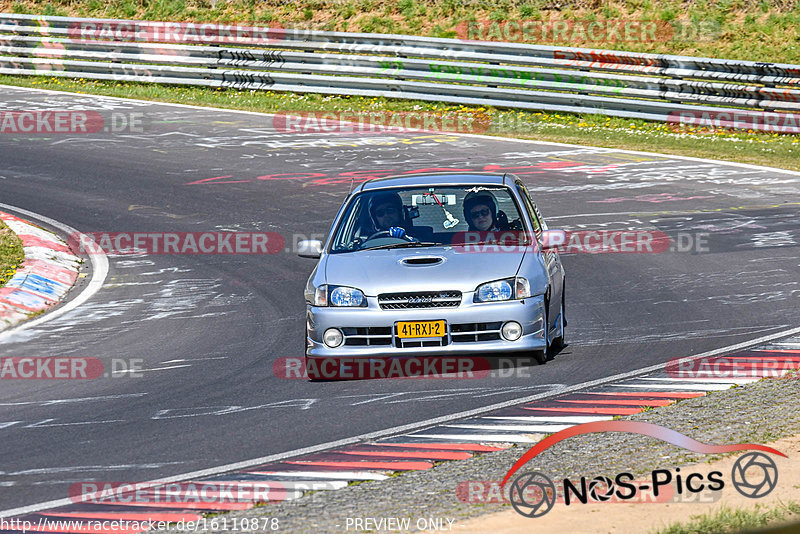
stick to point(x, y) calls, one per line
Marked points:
point(728, 520)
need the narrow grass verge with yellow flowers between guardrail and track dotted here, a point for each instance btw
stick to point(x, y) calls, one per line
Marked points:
point(782, 151)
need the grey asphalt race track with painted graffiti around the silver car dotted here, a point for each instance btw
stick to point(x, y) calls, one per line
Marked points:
point(209, 327)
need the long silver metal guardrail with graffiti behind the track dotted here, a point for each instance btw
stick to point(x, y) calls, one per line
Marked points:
point(505, 75)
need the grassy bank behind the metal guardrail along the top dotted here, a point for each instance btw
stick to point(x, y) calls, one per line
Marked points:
point(745, 29)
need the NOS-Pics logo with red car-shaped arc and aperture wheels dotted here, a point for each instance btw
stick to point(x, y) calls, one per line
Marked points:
point(533, 494)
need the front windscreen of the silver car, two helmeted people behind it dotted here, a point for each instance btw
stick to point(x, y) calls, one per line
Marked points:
point(389, 218)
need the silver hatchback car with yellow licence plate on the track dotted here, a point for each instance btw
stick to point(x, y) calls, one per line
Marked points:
point(436, 264)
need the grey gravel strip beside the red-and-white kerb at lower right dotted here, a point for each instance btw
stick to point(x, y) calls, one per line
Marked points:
point(759, 412)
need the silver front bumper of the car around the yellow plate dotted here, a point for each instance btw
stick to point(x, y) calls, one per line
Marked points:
point(471, 329)
